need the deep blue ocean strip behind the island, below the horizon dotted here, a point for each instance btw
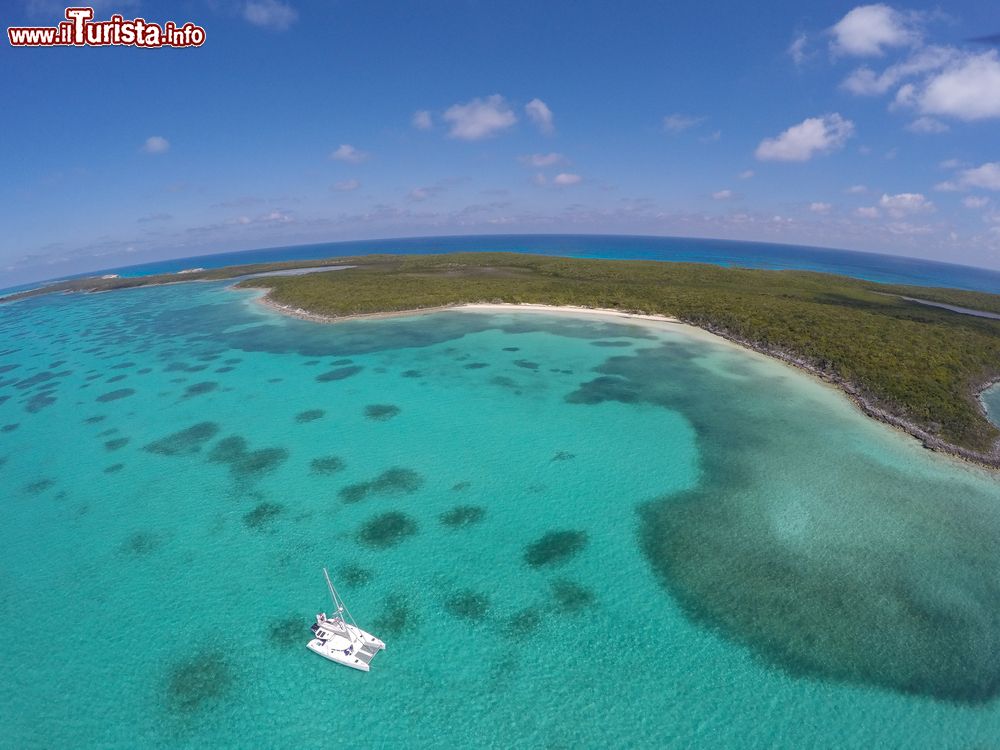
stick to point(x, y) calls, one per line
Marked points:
point(870, 266)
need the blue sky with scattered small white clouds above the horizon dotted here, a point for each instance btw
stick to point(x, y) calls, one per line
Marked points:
point(870, 127)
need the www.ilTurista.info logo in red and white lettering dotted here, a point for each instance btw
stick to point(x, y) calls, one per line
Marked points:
point(80, 30)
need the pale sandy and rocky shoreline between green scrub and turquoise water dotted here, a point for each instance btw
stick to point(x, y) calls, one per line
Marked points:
point(857, 397)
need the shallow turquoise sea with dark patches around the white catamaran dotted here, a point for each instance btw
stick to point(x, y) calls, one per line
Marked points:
point(571, 532)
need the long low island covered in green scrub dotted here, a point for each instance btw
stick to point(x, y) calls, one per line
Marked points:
point(915, 366)
